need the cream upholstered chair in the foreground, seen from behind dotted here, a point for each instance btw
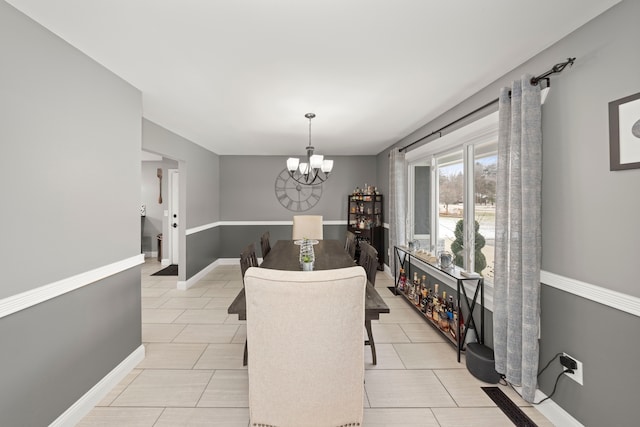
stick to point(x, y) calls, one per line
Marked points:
point(306, 364)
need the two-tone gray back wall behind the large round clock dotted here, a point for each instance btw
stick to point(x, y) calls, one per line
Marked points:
point(248, 191)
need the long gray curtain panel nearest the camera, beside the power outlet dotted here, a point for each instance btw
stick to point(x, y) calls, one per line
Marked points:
point(518, 236)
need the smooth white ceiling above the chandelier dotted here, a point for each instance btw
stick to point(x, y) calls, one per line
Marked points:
point(238, 76)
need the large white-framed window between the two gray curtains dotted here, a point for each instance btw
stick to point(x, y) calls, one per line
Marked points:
point(452, 185)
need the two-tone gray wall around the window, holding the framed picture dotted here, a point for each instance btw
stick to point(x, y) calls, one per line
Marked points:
point(589, 214)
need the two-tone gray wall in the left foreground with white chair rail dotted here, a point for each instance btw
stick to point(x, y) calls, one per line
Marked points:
point(70, 168)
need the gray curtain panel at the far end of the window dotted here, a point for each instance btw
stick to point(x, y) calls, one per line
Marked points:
point(397, 202)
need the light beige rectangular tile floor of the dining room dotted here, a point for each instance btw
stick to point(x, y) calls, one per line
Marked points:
point(193, 375)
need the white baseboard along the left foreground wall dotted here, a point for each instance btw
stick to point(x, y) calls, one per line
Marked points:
point(90, 399)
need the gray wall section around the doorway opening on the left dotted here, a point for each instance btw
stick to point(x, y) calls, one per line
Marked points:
point(199, 193)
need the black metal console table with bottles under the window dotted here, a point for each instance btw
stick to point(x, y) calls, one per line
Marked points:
point(404, 255)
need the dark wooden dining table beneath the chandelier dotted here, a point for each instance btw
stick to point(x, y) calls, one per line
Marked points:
point(329, 254)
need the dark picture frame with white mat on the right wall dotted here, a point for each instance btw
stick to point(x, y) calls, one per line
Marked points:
point(624, 133)
